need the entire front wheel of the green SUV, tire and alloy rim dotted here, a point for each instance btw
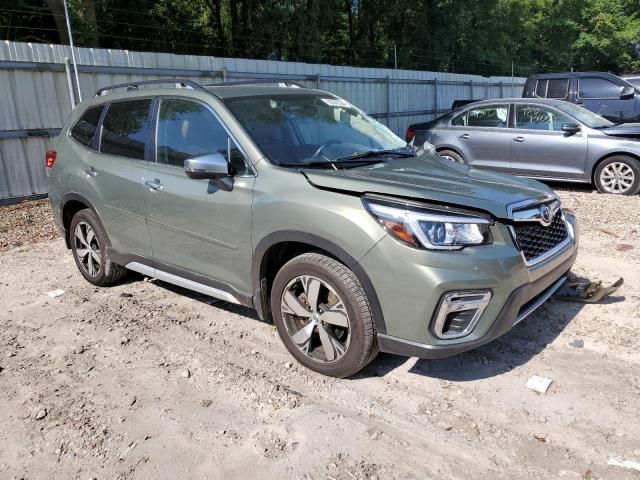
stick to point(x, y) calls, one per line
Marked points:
point(323, 316)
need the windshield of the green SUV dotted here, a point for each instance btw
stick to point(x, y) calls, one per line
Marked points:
point(303, 129)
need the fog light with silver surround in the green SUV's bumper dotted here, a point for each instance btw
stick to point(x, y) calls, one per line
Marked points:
point(459, 313)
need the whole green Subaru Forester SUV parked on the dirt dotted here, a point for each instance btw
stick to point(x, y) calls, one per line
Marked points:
point(296, 203)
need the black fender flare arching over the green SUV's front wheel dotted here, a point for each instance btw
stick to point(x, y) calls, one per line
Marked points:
point(321, 243)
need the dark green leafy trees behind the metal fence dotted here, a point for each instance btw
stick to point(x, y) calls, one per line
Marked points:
point(481, 36)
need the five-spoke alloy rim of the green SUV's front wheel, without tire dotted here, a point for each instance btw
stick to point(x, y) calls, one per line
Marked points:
point(316, 319)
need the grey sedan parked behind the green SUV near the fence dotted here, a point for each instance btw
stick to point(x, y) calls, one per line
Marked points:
point(538, 138)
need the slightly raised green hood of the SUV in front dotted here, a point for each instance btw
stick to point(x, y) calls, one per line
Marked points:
point(431, 178)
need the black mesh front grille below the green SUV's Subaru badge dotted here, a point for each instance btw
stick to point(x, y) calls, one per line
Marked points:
point(535, 240)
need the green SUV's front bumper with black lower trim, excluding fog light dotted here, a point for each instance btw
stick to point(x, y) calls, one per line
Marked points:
point(409, 298)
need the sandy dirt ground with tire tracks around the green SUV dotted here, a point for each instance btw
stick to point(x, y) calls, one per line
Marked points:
point(145, 380)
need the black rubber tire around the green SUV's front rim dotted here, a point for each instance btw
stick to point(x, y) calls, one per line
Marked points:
point(362, 344)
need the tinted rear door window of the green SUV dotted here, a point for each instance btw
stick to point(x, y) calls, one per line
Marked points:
point(125, 128)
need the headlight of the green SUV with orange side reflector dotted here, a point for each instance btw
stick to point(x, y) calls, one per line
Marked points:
point(435, 229)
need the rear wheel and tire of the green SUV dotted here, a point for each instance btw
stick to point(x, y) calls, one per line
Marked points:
point(105, 272)
